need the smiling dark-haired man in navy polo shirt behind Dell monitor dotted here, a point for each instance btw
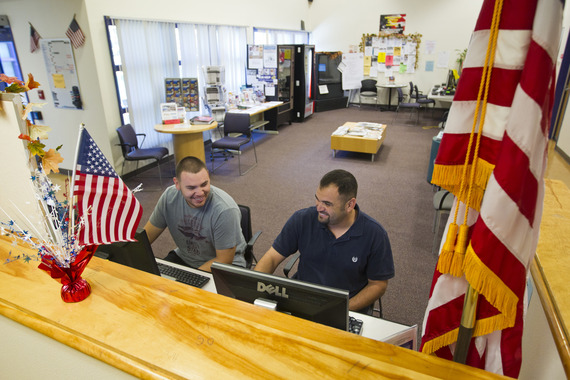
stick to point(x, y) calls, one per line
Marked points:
point(339, 245)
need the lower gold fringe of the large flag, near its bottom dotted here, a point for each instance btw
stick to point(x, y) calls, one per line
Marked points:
point(488, 284)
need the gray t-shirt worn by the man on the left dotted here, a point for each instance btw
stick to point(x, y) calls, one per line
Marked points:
point(199, 232)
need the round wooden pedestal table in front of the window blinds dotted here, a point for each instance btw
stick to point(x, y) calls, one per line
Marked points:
point(187, 138)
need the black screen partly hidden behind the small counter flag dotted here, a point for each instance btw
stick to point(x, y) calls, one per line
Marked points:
point(136, 255)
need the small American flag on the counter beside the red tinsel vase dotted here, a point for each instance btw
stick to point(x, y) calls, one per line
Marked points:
point(109, 209)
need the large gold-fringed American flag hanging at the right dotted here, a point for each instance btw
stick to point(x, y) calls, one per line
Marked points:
point(506, 203)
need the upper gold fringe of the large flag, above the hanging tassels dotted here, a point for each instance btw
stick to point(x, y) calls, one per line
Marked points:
point(449, 178)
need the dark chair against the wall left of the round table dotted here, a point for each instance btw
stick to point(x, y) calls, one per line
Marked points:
point(133, 152)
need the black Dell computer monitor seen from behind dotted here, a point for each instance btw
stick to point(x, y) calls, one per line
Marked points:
point(317, 303)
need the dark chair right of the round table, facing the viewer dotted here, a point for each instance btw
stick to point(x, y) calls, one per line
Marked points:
point(235, 124)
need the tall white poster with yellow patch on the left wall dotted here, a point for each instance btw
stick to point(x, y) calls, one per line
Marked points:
point(62, 75)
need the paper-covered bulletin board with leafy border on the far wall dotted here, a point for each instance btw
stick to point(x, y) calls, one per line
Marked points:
point(389, 53)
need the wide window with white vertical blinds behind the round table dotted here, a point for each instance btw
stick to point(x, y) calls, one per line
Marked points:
point(144, 53)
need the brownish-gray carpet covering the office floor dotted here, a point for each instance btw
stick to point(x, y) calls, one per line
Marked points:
point(393, 189)
